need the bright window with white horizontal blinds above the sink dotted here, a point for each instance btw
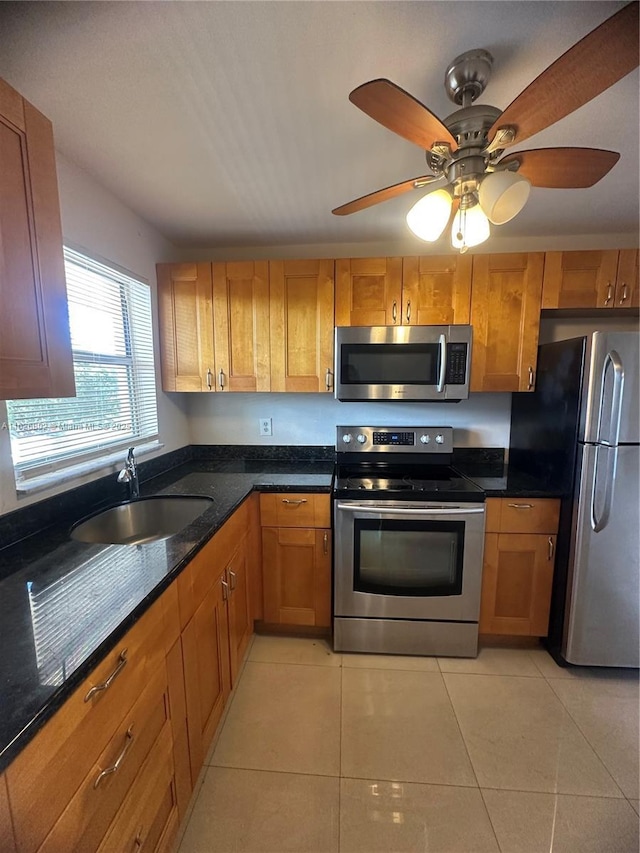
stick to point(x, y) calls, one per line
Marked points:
point(115, 406)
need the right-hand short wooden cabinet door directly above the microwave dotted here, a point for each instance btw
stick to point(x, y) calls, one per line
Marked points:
point(436, 290)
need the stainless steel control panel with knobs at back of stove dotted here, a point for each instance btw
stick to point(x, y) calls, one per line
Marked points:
point(358, 439)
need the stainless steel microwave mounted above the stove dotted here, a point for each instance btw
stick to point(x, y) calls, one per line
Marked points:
point(402, 363)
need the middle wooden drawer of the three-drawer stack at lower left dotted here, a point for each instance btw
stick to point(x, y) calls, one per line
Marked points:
point(84, 822)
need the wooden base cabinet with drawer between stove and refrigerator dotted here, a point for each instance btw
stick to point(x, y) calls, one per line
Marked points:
point(519, 557)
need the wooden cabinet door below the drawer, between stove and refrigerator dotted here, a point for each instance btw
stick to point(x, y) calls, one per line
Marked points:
point(516, 584)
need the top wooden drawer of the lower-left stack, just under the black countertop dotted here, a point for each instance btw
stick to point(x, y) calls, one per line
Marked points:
point(48, 772)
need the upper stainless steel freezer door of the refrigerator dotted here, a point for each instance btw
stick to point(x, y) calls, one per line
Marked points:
point(611, 396)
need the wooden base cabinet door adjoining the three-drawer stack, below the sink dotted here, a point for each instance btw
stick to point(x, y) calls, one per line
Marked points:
point(205, 647)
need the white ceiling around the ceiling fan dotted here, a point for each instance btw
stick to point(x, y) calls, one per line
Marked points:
point(228, 123)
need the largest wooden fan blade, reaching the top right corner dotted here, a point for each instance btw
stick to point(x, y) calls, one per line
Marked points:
point(596, 62)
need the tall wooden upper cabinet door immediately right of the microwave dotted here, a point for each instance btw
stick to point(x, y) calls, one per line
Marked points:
point(505, 314)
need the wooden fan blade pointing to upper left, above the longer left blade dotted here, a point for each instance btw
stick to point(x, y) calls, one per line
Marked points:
point(400, 112)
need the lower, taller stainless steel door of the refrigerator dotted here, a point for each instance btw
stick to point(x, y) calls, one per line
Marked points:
point(601, 619)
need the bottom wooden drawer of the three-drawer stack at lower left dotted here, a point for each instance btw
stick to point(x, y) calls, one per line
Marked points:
point(150, 809)
